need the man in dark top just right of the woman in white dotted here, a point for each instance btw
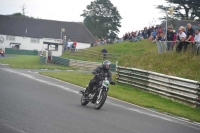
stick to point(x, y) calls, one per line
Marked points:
point(190, 35)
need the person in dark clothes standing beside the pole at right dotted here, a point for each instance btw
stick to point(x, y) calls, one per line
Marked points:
point(170, 38)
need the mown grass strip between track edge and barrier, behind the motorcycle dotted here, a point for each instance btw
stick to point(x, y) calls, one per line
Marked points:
point(135, 96)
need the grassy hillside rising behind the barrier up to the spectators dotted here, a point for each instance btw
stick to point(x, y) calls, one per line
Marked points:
point(144, 55)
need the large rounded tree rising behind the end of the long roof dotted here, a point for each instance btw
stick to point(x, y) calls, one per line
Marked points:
point(102, 19)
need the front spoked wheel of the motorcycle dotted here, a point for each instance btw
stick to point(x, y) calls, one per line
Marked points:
point(101, 100)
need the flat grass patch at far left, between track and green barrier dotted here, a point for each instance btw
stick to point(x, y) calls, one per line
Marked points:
point(28, 62)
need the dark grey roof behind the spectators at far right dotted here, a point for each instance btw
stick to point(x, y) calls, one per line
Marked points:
point(178, 23)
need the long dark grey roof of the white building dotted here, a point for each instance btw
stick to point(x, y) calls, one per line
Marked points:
point(40, 28)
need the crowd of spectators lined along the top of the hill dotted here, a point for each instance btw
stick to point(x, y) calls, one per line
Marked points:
point(183, 36)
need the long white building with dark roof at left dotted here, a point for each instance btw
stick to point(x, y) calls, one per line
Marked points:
point(28, 33)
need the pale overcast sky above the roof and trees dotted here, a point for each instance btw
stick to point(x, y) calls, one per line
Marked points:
point(136, 14)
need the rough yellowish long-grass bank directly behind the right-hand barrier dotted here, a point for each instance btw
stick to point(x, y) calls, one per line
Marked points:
point(183, 65)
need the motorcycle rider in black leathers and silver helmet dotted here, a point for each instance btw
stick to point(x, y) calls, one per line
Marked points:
point(99, 72)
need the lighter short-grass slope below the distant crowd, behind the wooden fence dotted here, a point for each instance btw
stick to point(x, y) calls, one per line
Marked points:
point(123, 48)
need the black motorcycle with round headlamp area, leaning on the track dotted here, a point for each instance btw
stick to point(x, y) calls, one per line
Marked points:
point(97, 95)
